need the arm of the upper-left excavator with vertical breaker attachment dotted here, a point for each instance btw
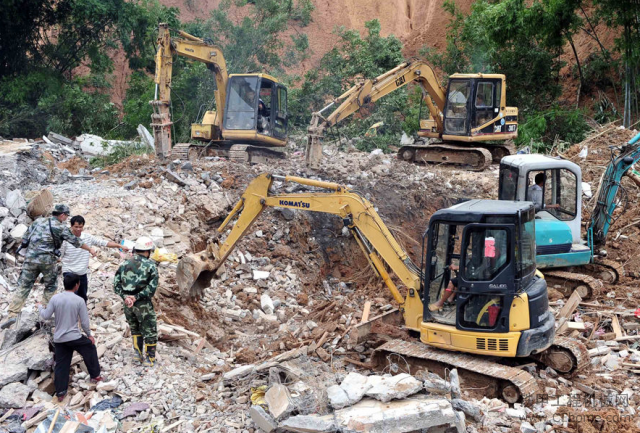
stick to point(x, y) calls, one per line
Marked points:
point(195, 49)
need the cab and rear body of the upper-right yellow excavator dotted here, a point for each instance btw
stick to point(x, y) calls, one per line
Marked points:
point(476, 107)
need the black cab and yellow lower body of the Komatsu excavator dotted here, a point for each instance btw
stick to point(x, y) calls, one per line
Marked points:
point(500, 306)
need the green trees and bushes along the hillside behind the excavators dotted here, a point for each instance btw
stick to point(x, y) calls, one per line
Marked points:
point(57, 73)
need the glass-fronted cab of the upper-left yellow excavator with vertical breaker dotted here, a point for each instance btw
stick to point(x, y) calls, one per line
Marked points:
point(256, 109)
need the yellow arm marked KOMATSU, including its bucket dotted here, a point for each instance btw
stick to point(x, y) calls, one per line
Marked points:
point(380, 247)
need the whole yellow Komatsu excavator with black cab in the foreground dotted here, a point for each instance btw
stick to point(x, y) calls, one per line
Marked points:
point(501, 309)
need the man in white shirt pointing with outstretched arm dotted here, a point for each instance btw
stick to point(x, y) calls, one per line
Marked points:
point(76, 260)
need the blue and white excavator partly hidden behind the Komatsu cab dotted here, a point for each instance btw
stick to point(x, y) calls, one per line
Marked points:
point(554, 185)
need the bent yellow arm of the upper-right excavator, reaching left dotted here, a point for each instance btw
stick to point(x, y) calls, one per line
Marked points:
point(370, 91)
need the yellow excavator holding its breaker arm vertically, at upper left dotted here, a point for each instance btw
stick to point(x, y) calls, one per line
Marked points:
point(250, 119)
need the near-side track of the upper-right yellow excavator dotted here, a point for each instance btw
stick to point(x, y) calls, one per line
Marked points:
point(477, 158)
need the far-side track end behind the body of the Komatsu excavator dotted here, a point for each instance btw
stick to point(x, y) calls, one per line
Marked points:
point(566, 356)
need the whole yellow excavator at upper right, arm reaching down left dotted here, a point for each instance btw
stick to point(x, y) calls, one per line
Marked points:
point(464, 118)
